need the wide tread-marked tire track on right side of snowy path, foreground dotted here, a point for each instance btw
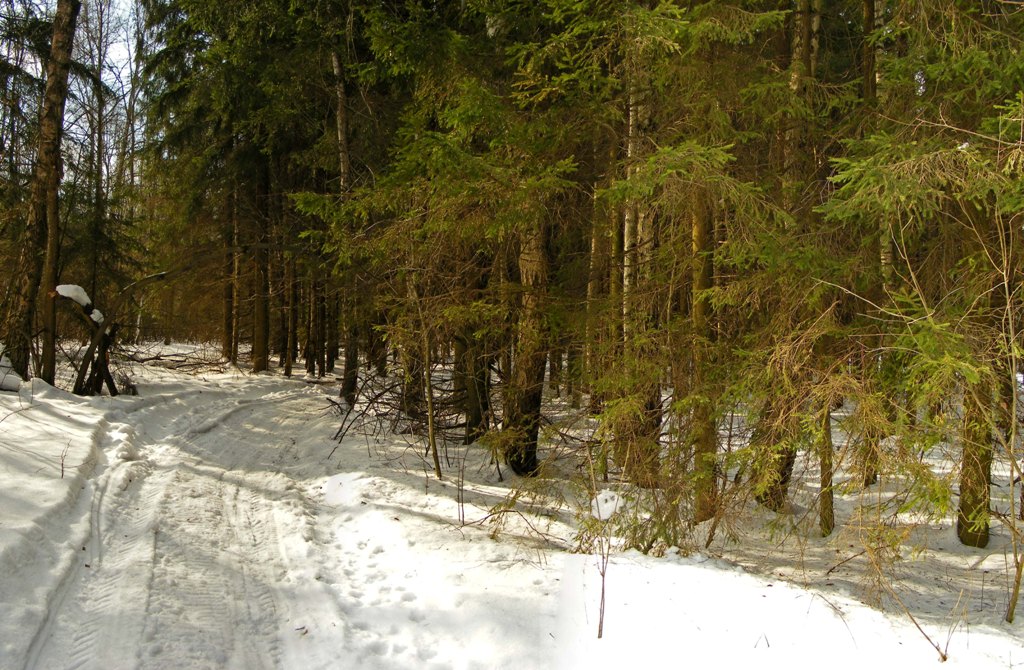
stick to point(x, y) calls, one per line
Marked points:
point(208, 608)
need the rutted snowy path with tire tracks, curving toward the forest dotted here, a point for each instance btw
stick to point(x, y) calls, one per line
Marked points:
point(184, 567)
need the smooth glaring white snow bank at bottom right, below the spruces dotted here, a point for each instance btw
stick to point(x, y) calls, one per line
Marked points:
point(702, 610)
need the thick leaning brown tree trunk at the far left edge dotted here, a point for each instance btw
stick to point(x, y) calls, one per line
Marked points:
point(19, 331)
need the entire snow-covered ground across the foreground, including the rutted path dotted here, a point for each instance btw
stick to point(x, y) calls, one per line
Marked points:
point(210, 523)
